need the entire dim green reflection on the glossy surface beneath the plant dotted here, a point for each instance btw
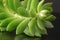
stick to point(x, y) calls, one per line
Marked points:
point(10, 36)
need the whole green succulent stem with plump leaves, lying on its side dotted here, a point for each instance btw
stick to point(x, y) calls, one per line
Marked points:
point(28, 16)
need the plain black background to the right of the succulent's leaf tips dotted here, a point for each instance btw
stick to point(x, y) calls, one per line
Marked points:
point(54, 34)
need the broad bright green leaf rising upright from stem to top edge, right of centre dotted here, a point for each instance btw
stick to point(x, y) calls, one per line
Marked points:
point(33, 8)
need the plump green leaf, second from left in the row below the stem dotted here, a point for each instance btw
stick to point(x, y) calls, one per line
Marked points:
point(13, 25)
